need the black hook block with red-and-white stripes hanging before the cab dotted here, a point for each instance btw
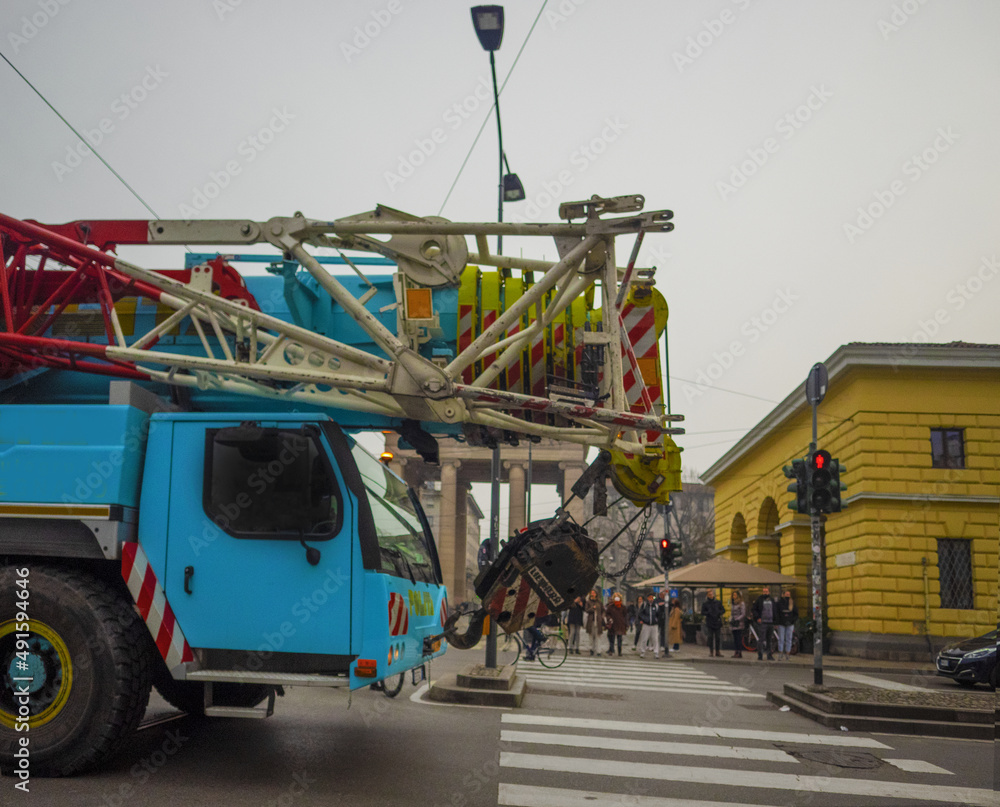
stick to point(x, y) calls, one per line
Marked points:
point(539, 571)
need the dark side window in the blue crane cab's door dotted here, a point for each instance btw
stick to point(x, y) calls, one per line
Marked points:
point(270, 483)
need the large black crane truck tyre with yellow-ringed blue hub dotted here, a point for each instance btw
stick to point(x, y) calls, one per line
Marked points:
point(83, 654)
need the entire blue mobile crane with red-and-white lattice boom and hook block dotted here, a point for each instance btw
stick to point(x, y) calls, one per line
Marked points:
point(207, 523)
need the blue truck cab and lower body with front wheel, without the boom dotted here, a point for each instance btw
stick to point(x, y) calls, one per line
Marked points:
point(219, 556)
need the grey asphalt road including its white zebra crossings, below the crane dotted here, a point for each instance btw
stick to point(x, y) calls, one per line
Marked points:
point(596, 731)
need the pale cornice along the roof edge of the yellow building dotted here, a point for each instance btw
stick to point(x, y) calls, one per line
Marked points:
point(857, 354)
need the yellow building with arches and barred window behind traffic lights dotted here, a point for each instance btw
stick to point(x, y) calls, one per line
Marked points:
point(913, 557)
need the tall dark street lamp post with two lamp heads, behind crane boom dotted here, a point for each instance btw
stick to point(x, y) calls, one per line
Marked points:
point(488, 22)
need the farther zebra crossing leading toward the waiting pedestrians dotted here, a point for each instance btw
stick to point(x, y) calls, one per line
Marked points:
point(642, 675)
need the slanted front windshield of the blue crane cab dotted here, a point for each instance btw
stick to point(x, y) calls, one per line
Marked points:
point(402, 543)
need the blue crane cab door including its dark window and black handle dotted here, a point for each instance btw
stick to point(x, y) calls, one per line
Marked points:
point(276, 574)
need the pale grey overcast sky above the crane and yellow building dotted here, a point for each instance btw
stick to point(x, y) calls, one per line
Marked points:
point(833, 167)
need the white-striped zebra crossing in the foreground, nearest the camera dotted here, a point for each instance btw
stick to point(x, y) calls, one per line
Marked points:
point(663, 765)
